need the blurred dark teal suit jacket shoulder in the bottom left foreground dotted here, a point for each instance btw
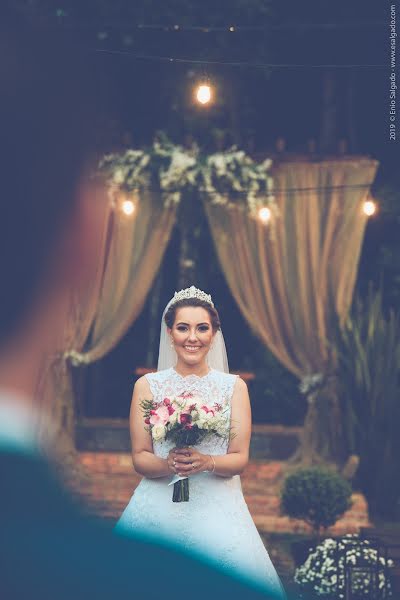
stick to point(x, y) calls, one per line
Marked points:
point(50, 551)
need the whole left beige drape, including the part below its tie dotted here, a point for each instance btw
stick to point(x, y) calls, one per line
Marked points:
point(132, 248)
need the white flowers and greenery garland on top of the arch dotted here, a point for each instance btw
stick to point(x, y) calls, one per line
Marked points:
point(230, 178)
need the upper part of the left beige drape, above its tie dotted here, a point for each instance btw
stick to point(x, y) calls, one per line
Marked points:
point(137, 246)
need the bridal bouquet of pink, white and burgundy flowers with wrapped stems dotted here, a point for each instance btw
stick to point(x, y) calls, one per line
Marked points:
point(186, 420)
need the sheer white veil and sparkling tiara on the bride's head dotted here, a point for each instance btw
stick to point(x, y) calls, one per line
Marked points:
point(167, 357)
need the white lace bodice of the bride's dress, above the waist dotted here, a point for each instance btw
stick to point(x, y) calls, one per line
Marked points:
point(213, 387)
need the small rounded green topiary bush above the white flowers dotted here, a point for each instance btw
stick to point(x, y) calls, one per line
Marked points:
point(316, 495)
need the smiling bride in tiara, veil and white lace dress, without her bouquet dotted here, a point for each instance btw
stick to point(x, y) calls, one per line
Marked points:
point(216, 519)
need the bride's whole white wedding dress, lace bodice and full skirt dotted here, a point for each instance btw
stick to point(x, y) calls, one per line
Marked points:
point(216, 520)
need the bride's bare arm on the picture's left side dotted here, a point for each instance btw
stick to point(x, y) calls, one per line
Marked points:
point(145, 462)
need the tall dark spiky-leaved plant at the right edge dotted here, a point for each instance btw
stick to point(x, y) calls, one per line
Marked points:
point(368, 356)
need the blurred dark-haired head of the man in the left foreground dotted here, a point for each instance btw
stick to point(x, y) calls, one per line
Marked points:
point(49, 220)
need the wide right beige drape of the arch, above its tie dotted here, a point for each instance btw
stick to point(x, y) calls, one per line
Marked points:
point(288, 283)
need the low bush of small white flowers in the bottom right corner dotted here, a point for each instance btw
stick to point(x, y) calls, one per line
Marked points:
point(324, 570)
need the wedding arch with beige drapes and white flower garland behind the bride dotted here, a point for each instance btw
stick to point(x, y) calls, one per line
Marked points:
point(295, 229)
